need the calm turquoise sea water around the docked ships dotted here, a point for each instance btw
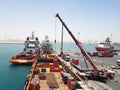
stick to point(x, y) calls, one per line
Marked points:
point(12, 77)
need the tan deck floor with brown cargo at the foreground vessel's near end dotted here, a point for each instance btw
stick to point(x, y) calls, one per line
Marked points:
point(45, 84)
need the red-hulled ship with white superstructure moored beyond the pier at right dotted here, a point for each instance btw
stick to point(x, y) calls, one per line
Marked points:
point(104, 46)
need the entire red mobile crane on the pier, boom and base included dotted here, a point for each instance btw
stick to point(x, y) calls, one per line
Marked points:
point(95, 72)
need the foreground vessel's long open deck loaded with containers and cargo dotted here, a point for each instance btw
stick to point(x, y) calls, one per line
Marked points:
point(53, 74)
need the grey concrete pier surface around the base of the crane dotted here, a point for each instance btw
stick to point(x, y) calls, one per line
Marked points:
point(101, 62)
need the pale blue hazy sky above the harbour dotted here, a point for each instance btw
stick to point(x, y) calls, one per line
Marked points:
point(94, 20)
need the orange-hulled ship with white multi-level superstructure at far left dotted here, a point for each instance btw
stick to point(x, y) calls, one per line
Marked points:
point(30, 52)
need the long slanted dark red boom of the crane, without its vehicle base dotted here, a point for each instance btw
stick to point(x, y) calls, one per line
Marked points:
point(83, 50)
